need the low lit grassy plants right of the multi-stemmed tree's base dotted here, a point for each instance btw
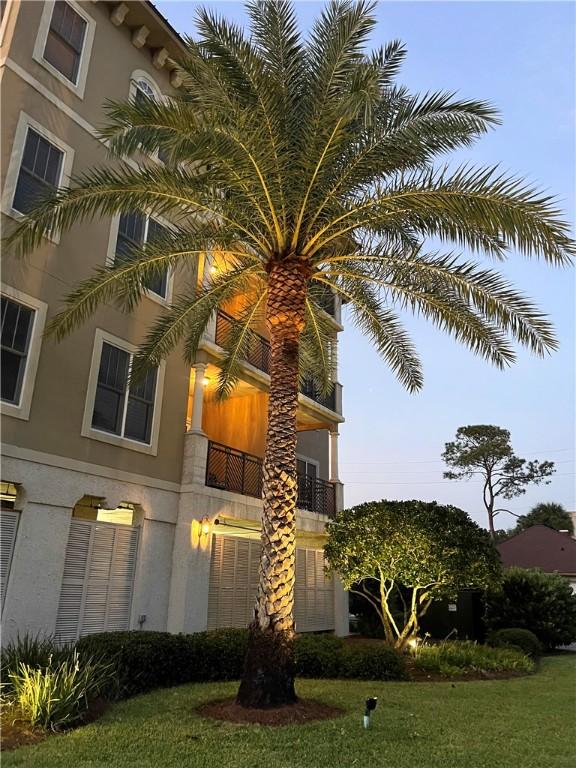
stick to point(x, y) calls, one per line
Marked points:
point(456, 658)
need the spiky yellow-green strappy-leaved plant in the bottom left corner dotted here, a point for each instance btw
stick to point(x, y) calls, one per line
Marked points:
point(58, 694)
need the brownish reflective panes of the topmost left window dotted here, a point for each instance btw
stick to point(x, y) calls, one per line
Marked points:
point(65, 40)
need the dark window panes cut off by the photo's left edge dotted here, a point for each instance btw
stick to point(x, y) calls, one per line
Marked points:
point(17, 322)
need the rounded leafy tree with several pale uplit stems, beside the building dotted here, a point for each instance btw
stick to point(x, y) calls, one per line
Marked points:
point(428, 550)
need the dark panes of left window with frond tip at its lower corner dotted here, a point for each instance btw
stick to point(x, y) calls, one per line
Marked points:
point(40, 171)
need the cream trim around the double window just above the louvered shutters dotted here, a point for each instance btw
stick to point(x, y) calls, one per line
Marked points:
point(88, 430)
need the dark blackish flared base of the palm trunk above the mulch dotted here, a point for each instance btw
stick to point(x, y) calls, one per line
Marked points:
point(269, 670)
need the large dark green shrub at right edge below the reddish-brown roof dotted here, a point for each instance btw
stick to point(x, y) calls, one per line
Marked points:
point(540, 602)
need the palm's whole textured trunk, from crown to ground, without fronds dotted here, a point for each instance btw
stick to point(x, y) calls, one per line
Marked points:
point(268, 679)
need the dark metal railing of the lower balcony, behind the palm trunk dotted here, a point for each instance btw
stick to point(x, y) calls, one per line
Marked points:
point(232, 470)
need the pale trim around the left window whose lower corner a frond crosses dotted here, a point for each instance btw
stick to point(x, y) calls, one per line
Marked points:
point(25, 122)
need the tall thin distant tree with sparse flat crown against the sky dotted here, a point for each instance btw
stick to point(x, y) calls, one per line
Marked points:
point(485, 451)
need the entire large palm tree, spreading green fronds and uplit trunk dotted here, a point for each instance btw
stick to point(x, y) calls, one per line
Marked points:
point(307, 168)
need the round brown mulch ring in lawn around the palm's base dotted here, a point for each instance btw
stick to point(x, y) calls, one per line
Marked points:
point(304, 711)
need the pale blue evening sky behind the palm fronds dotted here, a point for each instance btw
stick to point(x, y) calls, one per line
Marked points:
point(519, 56)
